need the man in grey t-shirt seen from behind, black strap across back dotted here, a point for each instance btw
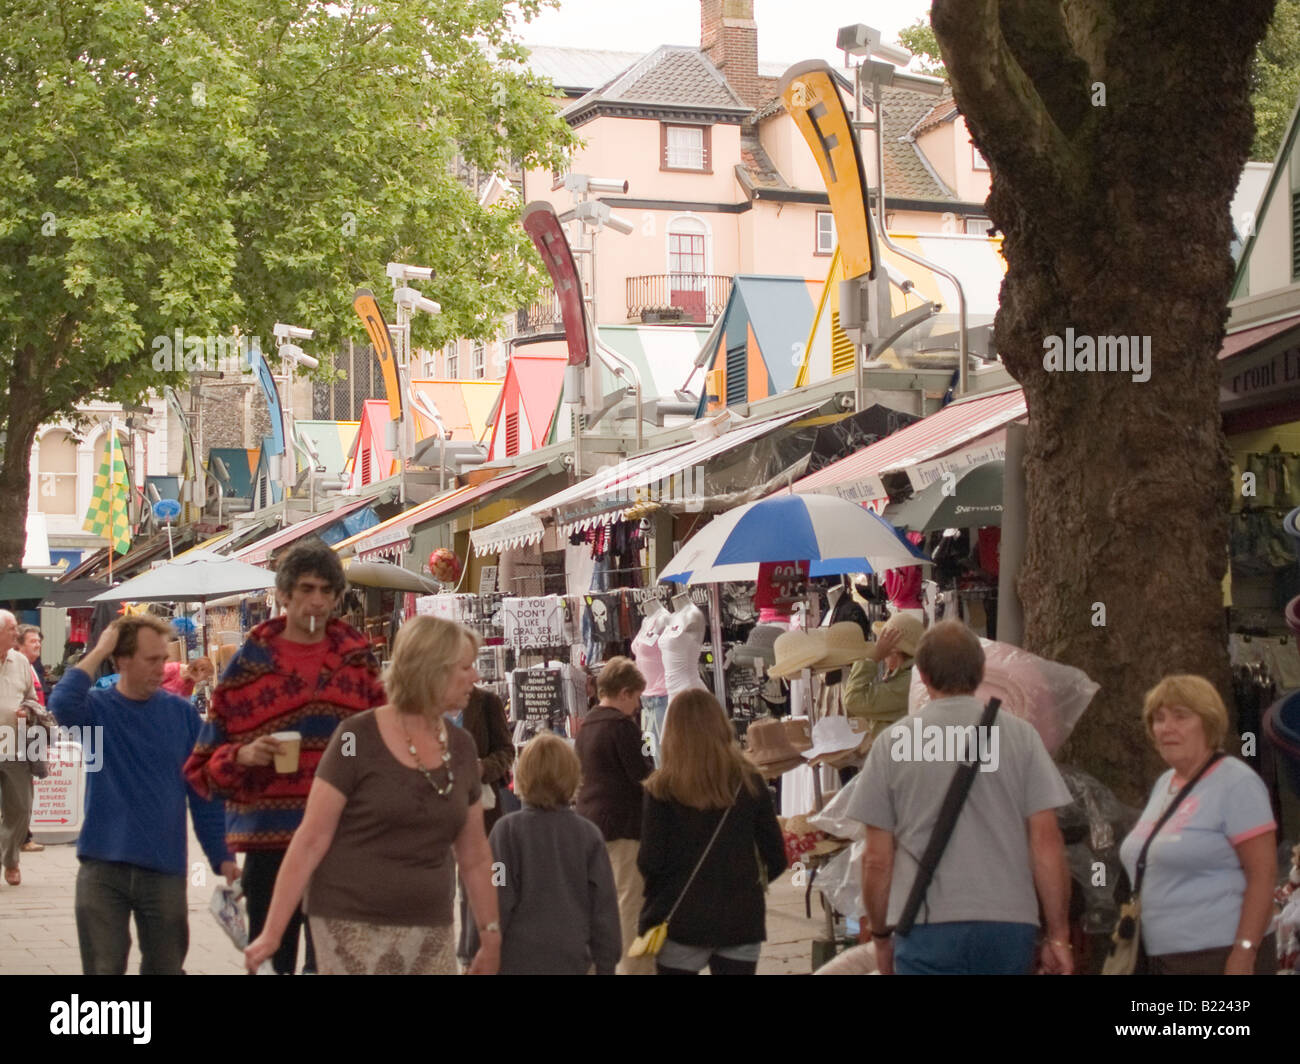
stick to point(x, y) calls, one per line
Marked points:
point(981, 914)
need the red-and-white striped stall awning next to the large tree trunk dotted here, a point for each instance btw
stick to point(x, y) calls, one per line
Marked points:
point(859, 477)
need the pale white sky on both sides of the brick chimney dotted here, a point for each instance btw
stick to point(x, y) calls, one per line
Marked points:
point(788, 31)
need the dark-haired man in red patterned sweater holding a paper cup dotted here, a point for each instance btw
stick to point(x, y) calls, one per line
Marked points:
point(302, 672)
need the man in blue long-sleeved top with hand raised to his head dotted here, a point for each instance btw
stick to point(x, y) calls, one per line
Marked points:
point(133, 845)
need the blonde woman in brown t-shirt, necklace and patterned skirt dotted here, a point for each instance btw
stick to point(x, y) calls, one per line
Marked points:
point(393, 812)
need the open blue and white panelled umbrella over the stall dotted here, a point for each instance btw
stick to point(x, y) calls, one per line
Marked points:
point(831, 534)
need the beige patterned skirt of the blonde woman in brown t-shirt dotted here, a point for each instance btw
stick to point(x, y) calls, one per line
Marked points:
point(349, 948)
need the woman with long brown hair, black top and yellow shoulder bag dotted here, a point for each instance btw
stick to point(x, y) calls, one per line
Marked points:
point(710, 844)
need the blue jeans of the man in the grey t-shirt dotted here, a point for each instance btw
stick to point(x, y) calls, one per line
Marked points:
point(973, 948)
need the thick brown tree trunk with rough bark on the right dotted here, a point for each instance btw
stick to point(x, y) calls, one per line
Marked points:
point(1116, 223)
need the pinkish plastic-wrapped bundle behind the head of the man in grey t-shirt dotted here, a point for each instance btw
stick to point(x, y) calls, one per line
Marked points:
point(1048, 695)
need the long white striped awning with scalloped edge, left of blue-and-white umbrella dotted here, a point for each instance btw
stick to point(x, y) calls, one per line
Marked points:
point(605, 496)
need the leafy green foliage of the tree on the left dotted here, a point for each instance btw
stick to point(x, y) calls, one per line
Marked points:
point(220, 167)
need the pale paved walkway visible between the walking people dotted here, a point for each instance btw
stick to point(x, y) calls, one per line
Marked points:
point(38, 932)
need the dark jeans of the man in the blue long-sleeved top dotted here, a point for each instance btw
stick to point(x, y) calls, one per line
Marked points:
point(109, 894)
